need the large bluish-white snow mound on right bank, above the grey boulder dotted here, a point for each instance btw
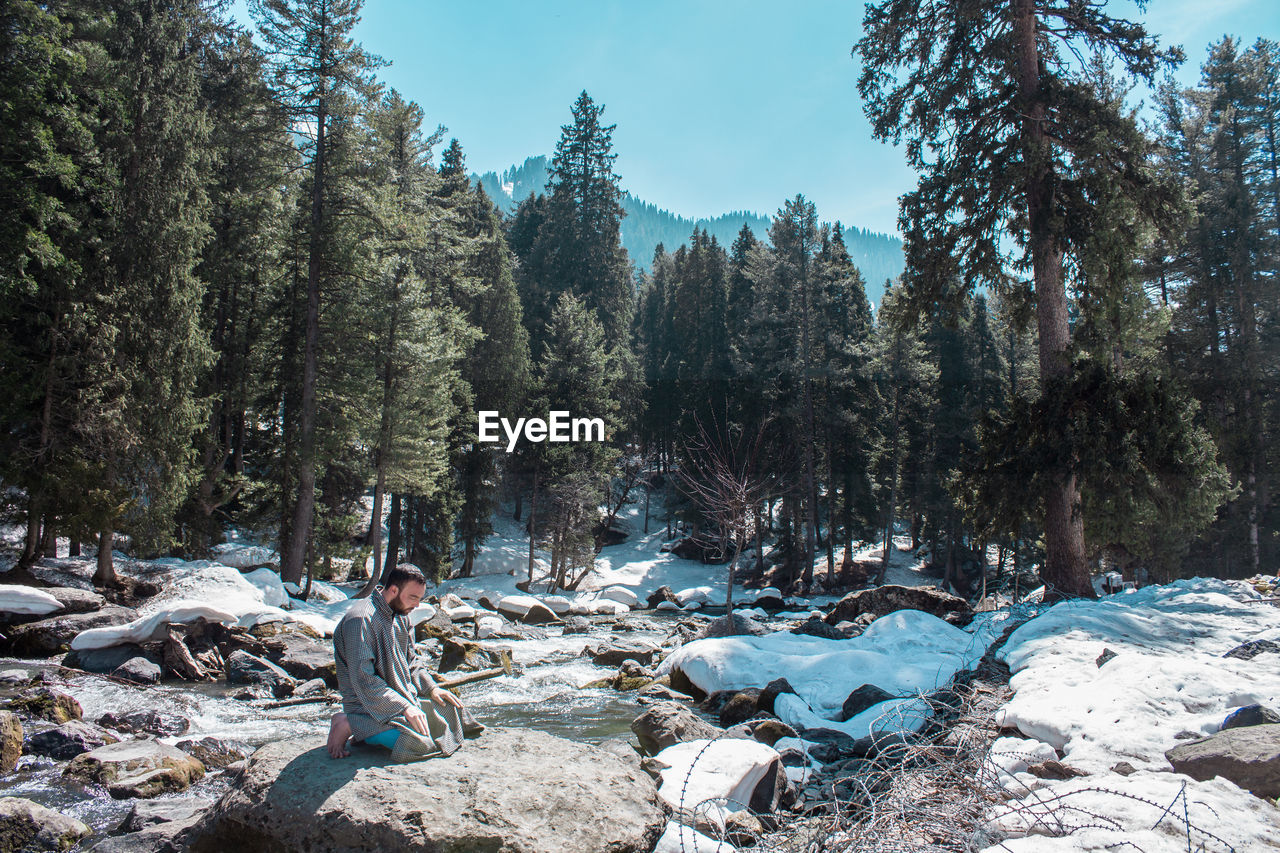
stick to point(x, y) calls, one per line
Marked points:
point(1168, 674)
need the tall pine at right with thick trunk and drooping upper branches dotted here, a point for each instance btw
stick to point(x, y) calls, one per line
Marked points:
point(1017, 70)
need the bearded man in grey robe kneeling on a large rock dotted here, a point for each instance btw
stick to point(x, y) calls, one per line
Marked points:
point(388, 697)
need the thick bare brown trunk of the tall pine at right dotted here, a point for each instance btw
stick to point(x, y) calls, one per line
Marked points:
point(1066, 572)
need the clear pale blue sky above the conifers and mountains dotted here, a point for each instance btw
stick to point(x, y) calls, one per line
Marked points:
point(720, 106)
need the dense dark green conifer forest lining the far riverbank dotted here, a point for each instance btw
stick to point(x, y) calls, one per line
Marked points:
point(244, 284)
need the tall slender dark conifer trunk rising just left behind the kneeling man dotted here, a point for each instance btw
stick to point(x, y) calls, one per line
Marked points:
point(300, 532)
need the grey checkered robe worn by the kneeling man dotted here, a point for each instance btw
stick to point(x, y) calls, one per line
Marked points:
point(381, 677)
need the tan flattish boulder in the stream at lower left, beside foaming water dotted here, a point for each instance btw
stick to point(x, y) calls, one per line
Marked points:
point(138, 769)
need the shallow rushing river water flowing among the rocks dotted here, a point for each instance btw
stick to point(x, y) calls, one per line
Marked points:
point(547, 695)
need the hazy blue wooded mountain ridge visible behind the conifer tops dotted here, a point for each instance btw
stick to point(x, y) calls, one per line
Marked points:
point(879, 257)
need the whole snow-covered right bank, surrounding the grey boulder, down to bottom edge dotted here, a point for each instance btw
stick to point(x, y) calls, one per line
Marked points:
point(1168, 678)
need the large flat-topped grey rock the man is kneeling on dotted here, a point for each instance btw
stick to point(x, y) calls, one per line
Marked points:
point(511, 791)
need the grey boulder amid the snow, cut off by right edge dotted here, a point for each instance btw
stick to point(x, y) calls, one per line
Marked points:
point(1249, 756)
